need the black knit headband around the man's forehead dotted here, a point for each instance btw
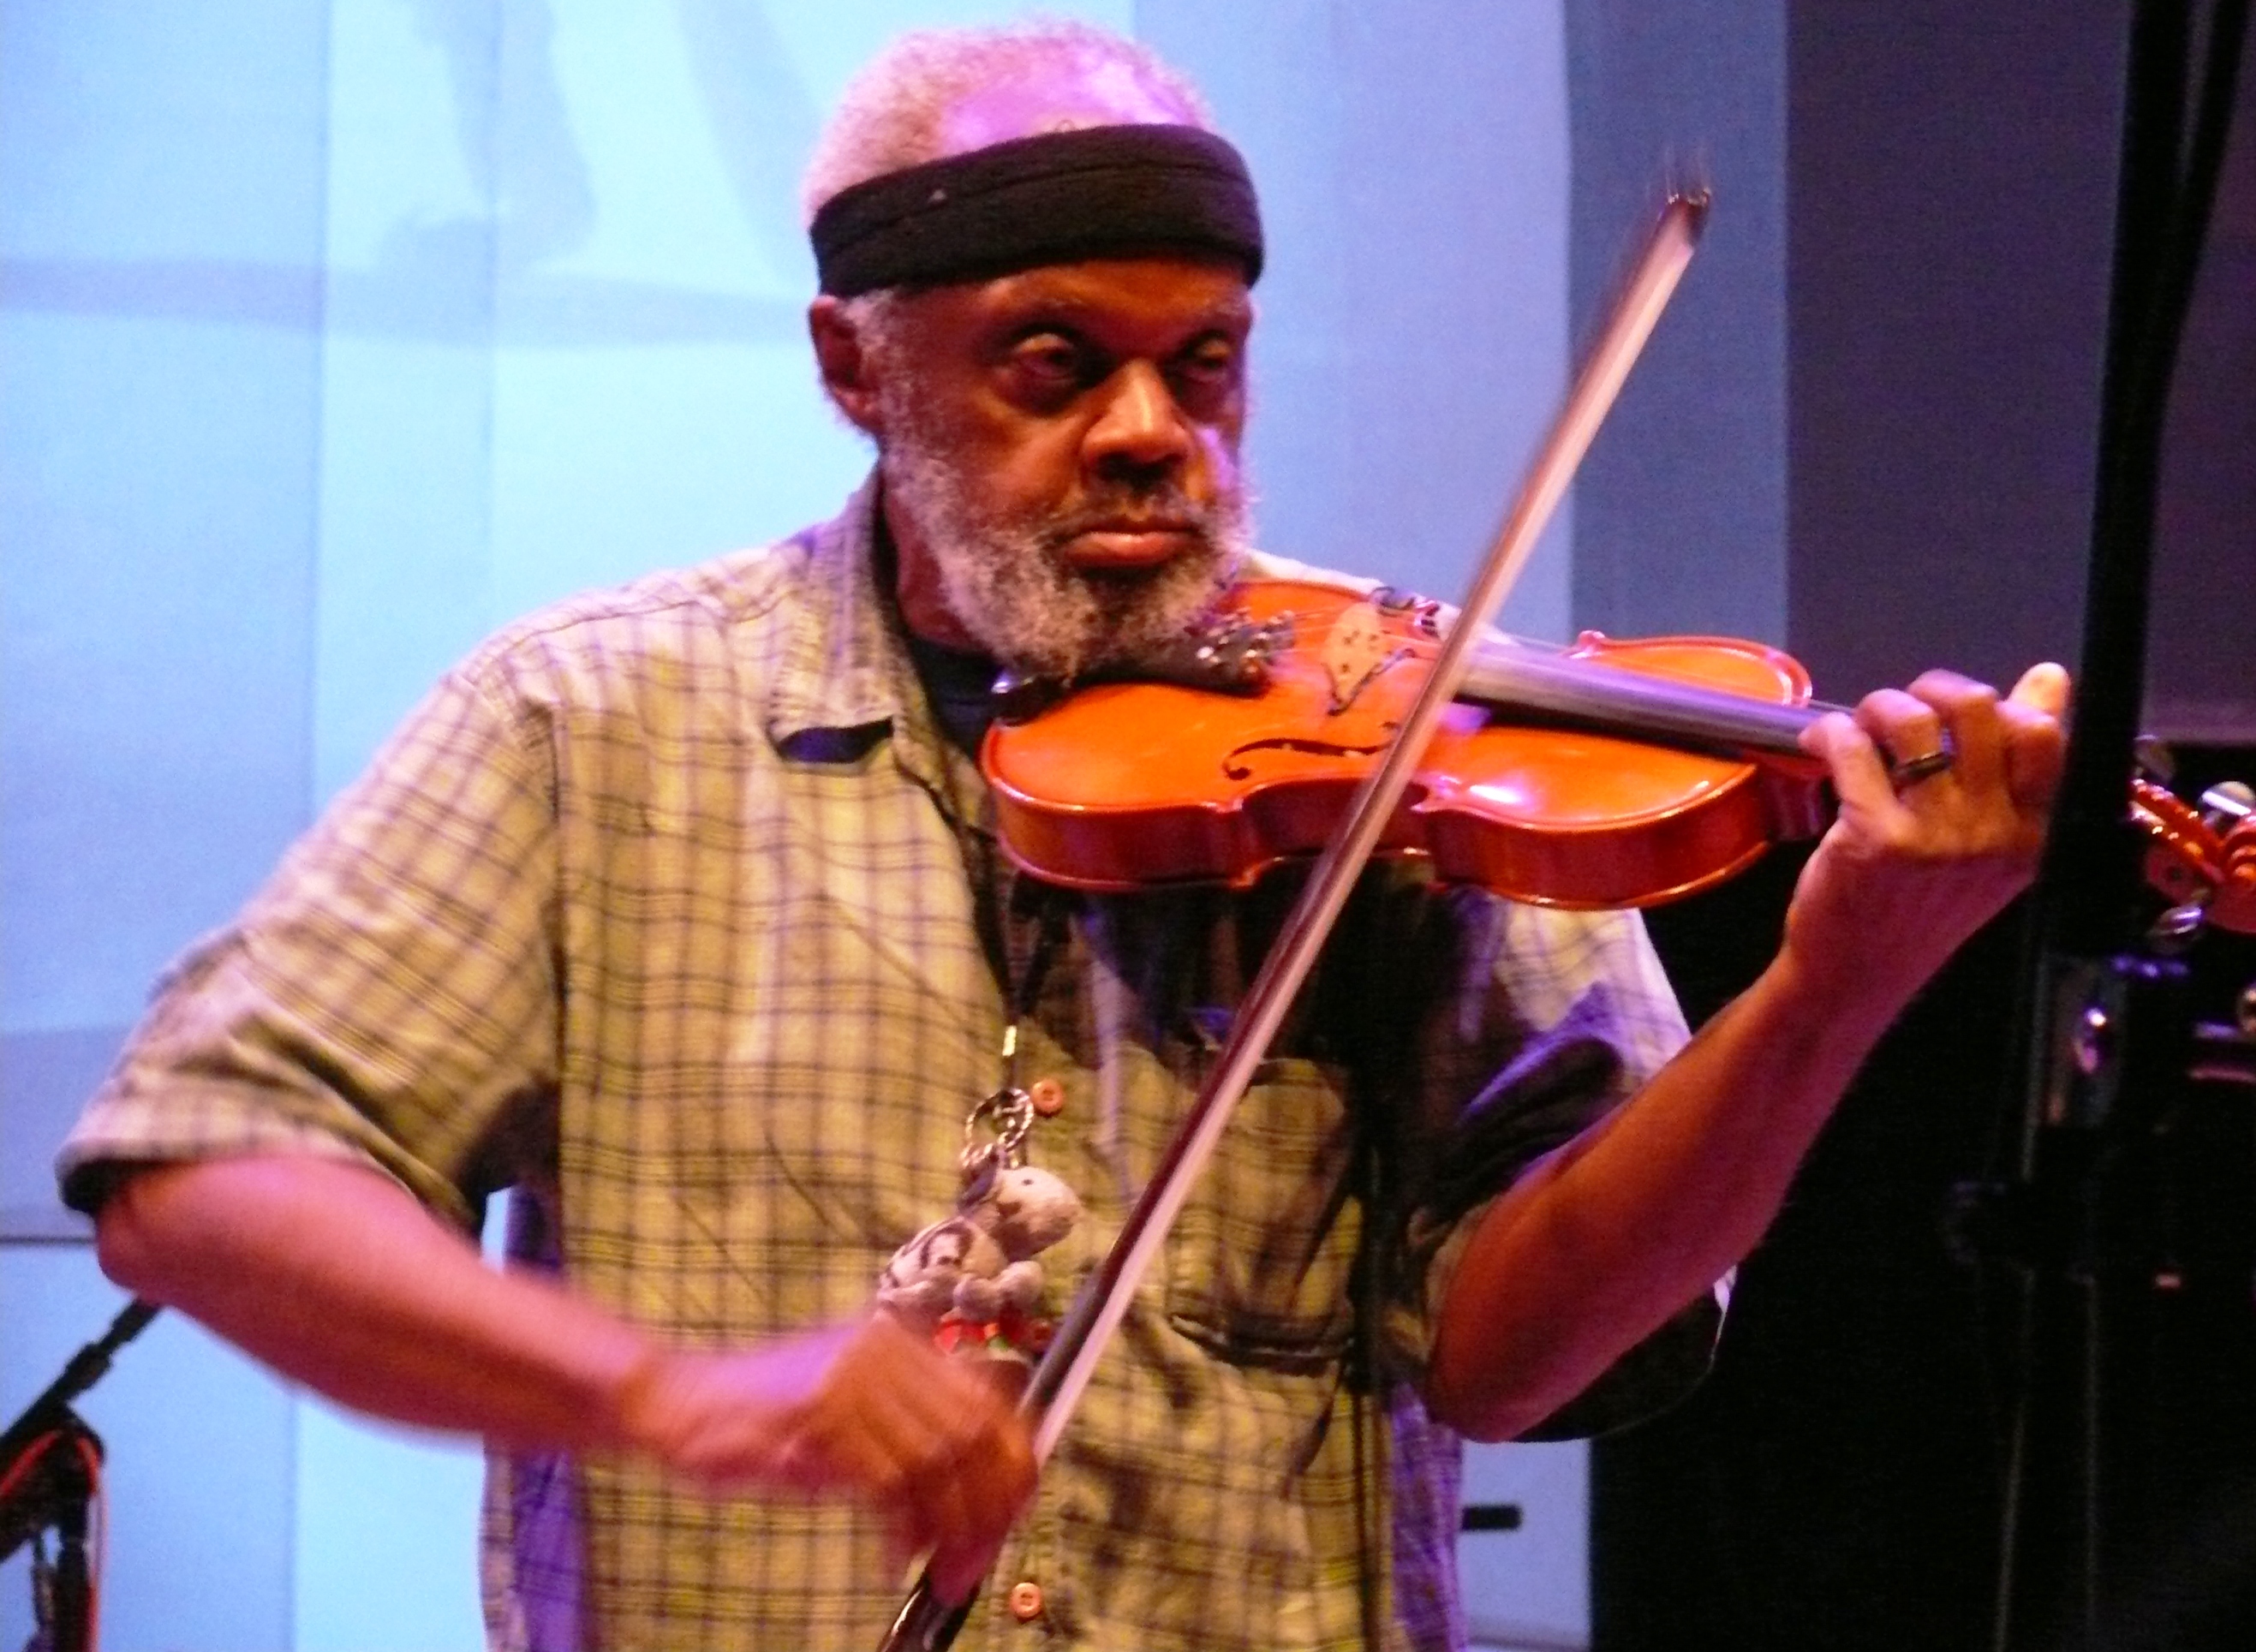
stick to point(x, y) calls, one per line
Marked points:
point(1046, 200)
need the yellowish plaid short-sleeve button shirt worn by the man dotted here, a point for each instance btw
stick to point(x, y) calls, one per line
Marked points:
point(673, 911)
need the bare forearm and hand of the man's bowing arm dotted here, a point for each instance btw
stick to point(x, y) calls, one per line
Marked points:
point(344, 1283)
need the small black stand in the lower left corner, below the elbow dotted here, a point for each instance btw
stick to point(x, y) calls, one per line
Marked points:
point(49, 1484)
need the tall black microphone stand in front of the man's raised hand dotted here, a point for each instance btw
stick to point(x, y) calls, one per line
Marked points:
point(2108, 1026)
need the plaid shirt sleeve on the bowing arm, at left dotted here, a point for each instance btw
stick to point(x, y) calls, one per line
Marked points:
point(387, 999)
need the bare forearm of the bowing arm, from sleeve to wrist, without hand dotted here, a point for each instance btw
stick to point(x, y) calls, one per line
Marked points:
point(342, 1281)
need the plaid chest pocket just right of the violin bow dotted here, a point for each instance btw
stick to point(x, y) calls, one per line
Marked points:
point(1260, 1263)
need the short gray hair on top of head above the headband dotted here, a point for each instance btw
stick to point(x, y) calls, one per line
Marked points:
point(890, 114)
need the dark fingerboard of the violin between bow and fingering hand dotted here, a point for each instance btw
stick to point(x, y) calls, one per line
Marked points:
point(1526, 683)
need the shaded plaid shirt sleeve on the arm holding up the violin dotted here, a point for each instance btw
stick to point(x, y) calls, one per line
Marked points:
point(1583, 1014)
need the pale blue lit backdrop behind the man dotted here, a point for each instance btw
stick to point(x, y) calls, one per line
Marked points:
point(337, 333)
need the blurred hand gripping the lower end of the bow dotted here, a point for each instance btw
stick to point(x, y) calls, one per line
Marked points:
point(867, 1409)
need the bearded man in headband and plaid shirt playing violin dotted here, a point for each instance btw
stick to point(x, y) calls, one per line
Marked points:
point(676, 911)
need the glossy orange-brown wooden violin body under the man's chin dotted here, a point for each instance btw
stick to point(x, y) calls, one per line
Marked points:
point(1122, 787)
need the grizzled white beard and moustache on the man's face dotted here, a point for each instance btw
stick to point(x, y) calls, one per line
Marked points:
point(1021, 601)
